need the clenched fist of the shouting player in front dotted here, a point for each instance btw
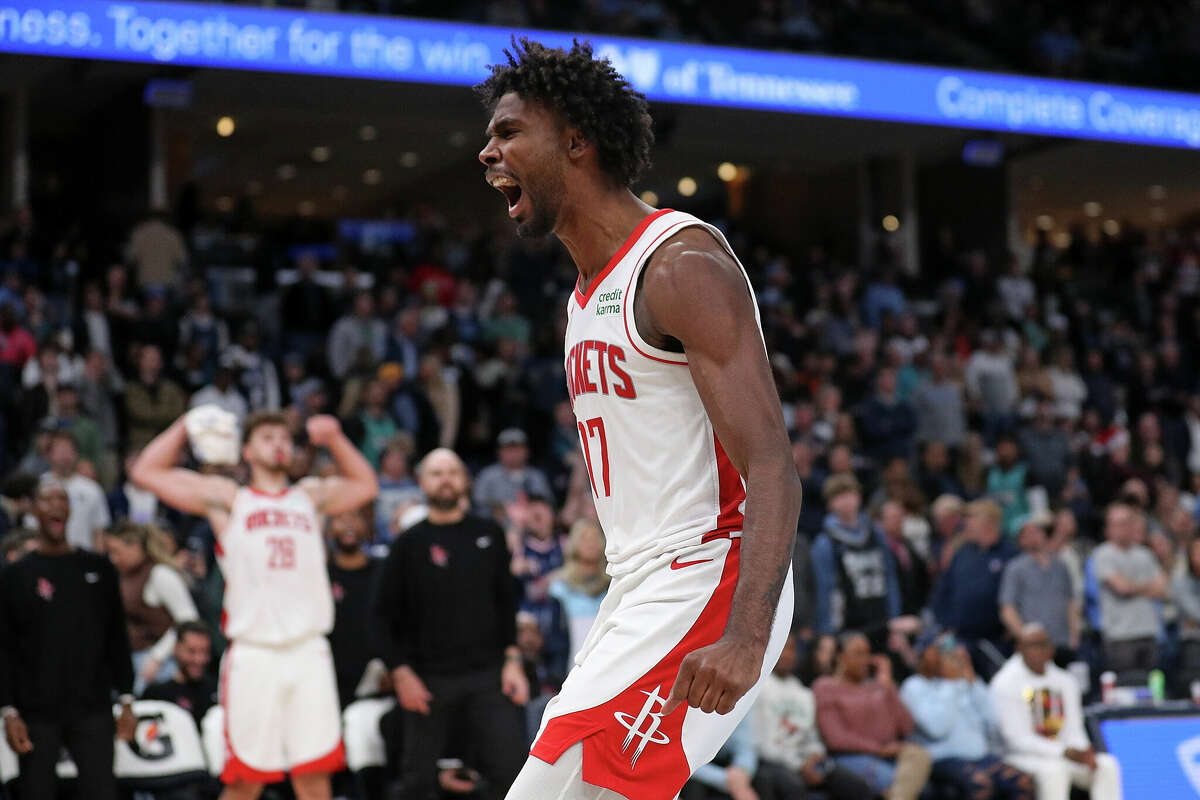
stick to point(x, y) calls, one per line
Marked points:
point(716, 678)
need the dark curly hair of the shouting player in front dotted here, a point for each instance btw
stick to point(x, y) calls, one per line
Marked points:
point(587, 93)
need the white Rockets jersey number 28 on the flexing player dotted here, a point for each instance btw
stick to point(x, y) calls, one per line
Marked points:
point(273, 557)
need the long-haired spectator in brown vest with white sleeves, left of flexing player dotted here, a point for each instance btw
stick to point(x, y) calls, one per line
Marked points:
point(155, 596)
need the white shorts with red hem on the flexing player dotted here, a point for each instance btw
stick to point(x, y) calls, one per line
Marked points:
point(283, 714)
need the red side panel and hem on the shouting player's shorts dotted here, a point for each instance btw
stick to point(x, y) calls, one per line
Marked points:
point(661, 772)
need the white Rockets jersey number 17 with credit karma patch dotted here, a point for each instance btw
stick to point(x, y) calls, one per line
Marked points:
point(661, 479)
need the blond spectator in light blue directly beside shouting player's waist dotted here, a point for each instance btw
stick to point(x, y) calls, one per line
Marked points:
point(583, 582)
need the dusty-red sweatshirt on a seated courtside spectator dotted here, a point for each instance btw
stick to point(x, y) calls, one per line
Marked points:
point(860, 718)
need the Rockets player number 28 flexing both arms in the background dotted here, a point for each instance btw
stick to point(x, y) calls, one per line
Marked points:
point(278, 683)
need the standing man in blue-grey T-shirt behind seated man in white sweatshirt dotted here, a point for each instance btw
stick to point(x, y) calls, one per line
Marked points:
point(1037, 588)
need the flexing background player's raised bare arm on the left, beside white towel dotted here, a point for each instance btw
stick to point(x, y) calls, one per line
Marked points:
point(185, 490)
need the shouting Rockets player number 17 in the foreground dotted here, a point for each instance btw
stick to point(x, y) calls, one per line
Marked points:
point(681, 430)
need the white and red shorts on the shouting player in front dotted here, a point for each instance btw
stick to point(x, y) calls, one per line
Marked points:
point(614, 699)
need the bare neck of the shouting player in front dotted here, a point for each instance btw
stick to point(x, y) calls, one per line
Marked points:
point(595, 231)
